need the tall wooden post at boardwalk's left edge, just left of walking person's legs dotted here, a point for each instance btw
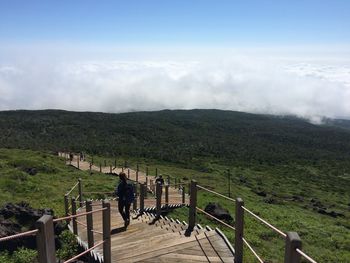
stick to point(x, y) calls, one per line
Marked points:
point(106, 218)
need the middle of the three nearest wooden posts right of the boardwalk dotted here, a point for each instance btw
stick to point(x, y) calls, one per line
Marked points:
point(239, 224)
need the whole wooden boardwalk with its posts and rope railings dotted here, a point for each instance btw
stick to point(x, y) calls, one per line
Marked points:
point(150, 237)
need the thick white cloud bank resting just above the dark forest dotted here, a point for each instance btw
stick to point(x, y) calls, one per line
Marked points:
point(310, 90)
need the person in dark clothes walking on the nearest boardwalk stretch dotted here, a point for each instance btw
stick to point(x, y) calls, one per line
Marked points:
point(125, 193)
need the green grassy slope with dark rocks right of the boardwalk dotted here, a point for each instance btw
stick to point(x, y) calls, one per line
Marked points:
point(288, 188)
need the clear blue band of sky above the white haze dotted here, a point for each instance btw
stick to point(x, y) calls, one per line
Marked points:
point(180, 22)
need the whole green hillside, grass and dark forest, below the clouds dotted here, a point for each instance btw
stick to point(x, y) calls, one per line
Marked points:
point(292, 173)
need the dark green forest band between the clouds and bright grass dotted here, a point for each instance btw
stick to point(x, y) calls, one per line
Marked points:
point(178, 136)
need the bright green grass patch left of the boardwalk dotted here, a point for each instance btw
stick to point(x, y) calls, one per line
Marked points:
point(47, 187)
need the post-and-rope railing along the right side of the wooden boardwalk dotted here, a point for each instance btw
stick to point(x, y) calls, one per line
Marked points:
point(292, 254)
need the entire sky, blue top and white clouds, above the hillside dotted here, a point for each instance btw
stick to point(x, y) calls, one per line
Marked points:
point(260, 56)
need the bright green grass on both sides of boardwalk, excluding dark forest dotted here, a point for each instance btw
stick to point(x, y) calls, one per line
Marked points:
point(288, 202)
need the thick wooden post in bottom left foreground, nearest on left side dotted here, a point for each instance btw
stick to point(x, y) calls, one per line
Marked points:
point(45, 240)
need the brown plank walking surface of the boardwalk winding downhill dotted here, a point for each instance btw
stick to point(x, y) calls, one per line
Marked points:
point(151, 239)
